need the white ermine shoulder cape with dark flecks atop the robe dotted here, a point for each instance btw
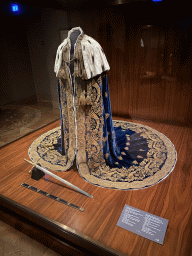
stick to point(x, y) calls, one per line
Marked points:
point(91, 59)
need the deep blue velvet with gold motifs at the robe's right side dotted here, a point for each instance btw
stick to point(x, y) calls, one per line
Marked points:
point(116, 137)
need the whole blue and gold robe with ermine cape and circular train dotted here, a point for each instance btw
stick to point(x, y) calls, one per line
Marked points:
point(113, 154)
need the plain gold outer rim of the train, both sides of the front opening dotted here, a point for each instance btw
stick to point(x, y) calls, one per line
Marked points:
point(84, 170)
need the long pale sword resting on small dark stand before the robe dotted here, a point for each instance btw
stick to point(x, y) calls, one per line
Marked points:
point(60, 179)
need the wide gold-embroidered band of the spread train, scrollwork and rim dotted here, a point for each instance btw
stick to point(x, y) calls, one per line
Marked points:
point(145, 173)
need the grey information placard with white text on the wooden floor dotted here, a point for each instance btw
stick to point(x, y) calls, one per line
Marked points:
point(144, 224)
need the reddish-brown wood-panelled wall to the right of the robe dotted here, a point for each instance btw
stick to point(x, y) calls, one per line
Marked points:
point(151, 82)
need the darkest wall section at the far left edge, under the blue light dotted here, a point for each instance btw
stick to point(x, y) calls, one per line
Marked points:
point(16, 79)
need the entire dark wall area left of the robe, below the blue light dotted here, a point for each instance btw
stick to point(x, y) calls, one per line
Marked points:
point(29, 42)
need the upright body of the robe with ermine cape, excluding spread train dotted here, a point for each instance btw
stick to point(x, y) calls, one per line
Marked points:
point(87, 131)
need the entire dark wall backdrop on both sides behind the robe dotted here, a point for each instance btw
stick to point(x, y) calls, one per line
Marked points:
point(151, 82)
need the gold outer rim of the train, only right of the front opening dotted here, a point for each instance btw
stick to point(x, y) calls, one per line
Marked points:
point(149, 181)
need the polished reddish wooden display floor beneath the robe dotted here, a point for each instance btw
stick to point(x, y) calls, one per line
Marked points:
point(170, 199)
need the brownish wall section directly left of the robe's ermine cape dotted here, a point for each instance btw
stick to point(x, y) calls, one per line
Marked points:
point(43, 34)
